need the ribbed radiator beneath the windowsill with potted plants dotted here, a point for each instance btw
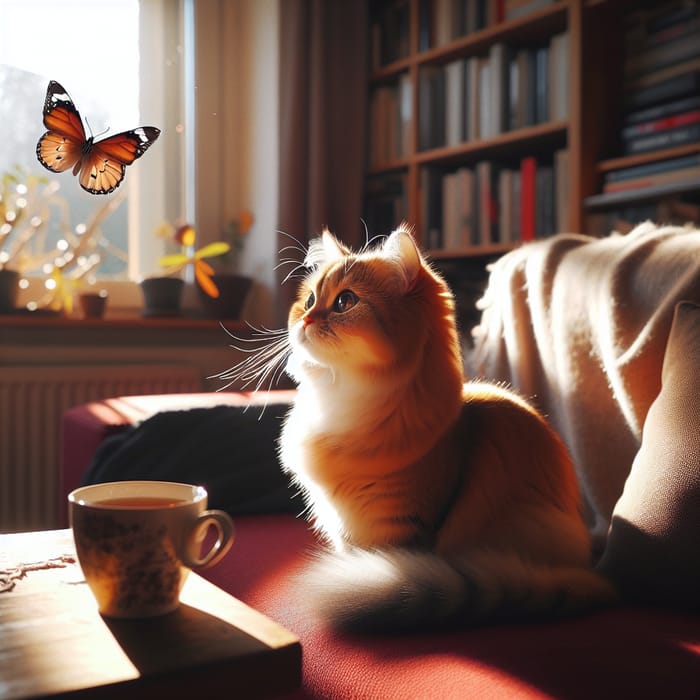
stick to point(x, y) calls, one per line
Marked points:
point(32, 402)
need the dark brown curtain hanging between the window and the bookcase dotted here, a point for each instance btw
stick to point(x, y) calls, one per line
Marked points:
point(323, 94)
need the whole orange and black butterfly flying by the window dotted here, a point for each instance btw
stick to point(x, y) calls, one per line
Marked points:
point(101, 164)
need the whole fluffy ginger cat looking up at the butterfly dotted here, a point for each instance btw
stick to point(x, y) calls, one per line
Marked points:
point(446, 503)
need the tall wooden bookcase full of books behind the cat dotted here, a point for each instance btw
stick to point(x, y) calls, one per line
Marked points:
point(487, 98)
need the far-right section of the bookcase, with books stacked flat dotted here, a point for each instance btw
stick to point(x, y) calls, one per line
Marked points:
point(661, 112)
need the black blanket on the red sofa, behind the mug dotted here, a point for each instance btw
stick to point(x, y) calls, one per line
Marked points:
point(230, 450)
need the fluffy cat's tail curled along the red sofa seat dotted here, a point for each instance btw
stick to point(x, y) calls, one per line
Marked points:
point(404, 590)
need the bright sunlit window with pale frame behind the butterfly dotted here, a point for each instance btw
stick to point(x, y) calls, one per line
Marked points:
point(122, 61)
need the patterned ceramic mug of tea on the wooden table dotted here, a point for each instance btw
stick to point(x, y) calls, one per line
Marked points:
point(136, 542)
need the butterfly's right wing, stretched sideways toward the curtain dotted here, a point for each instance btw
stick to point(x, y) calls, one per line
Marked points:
point(104, 162)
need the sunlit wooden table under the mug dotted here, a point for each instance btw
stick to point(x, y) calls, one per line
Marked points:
point(53, 642)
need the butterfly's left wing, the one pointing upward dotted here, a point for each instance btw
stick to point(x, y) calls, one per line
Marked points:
point(61, 147)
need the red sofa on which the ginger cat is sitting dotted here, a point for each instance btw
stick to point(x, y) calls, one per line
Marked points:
point(626, 652)
